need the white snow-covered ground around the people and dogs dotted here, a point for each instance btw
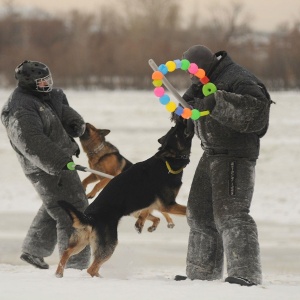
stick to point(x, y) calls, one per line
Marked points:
point(143, 266)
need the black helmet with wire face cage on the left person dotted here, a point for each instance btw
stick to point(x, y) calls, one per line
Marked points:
point(34, 76)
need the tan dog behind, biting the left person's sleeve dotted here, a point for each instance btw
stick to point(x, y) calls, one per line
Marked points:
point(106, 158)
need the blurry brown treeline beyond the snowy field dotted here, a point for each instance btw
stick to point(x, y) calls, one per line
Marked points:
point(111, 47)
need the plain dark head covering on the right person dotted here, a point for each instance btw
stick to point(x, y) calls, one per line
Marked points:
point(203, 57)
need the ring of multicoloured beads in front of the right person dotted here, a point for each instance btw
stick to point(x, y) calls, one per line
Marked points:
point(159, 91)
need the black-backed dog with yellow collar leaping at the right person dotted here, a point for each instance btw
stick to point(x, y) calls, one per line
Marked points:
point(151, 184)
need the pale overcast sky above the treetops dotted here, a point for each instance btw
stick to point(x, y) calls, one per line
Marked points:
point(266, 15)
